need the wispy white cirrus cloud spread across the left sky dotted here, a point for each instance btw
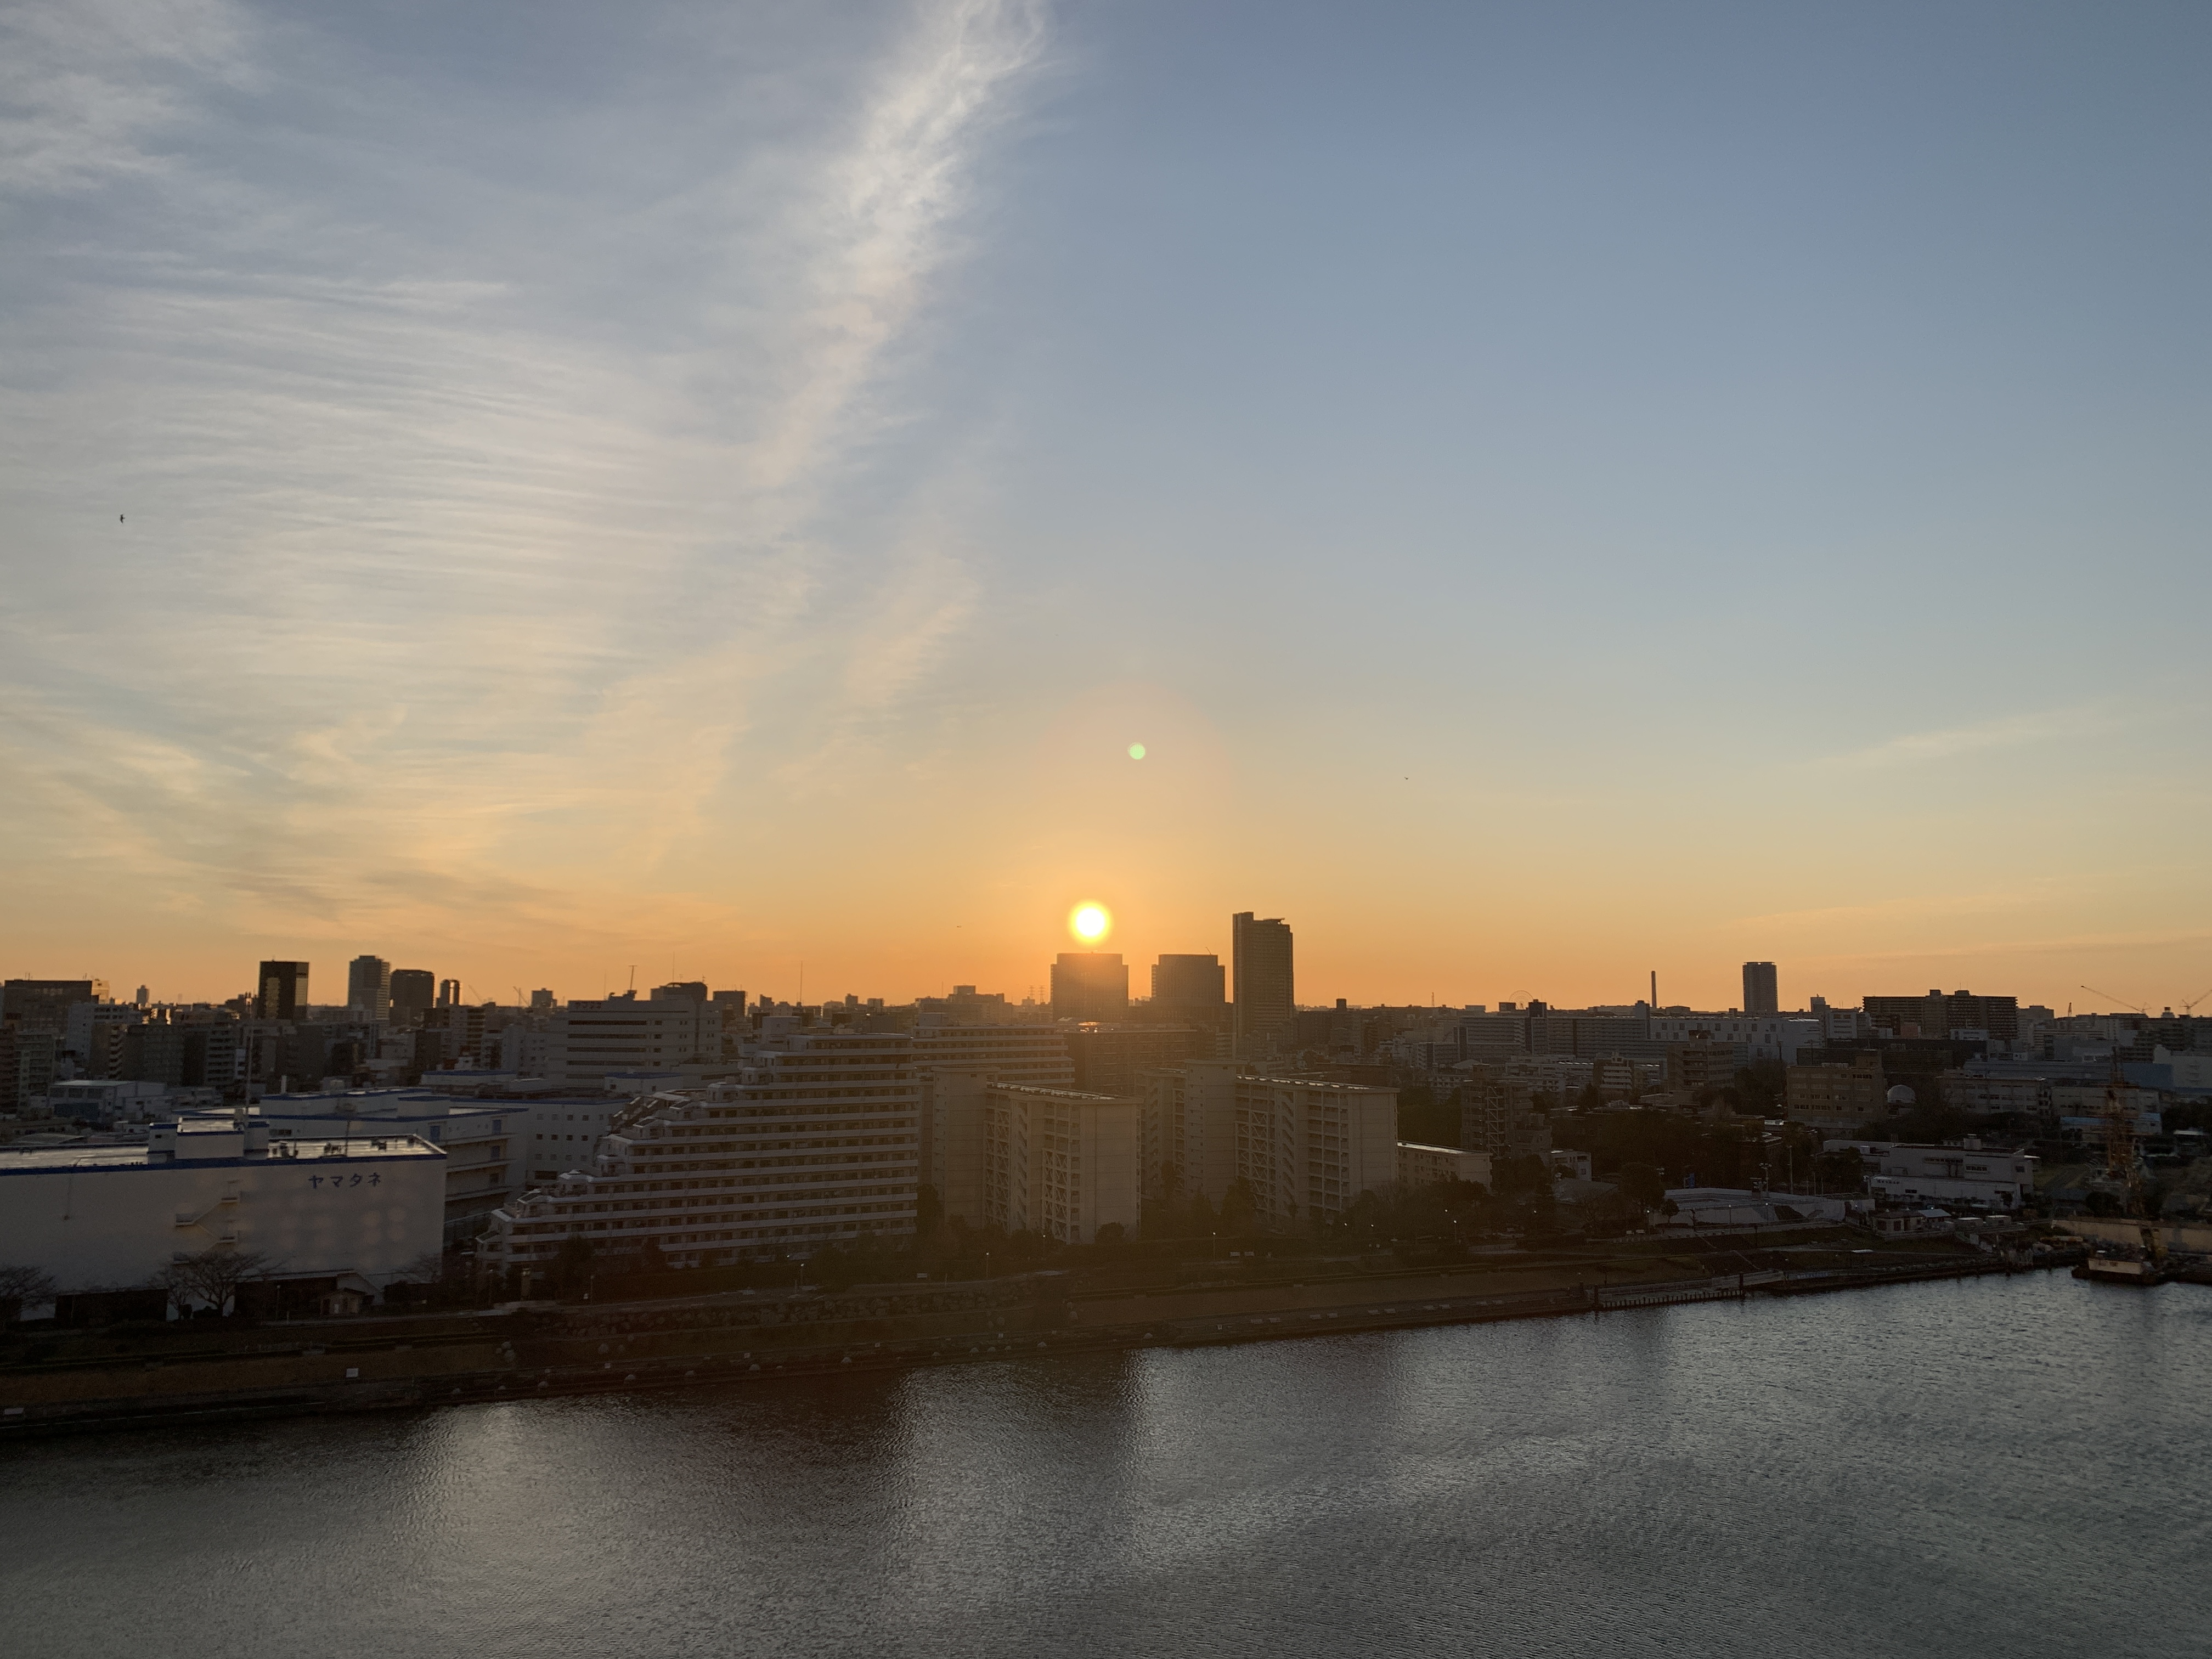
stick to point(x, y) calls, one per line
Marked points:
point(470, 519)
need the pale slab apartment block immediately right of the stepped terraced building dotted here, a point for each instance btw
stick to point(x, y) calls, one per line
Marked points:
point(1054, 1162)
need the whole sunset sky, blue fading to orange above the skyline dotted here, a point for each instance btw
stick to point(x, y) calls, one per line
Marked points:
point(1561, 492)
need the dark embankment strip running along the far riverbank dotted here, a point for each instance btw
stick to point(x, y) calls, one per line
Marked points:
point(539, 1353)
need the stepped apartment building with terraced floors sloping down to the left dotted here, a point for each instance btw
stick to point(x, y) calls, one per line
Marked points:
point(811, 1145)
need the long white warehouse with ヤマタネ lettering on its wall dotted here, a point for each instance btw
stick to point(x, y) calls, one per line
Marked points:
point(112, 1218)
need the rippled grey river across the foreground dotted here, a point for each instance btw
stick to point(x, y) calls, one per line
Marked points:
point(1972, 1468)
